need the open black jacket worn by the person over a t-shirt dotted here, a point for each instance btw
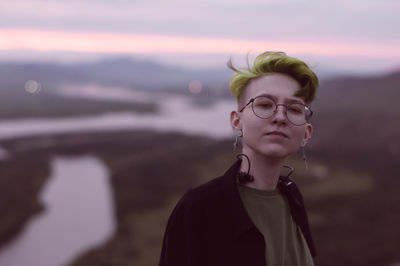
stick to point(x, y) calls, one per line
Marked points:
point(210, 226)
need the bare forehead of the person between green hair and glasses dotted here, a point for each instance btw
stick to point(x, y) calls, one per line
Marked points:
point(282, 86)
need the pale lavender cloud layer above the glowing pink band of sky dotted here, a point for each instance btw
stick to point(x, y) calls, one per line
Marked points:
point(253, 19)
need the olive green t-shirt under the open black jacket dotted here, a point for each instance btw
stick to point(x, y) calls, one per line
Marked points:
point(284, 242)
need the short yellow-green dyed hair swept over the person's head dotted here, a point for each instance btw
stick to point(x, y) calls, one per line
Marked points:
point(275, 62)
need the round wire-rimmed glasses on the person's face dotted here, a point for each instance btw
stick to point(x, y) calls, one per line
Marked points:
point(264, 107)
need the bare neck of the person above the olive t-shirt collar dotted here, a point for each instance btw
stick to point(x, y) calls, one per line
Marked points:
point(265, 170)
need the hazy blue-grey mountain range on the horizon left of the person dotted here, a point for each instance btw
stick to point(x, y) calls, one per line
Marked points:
point(121, 72)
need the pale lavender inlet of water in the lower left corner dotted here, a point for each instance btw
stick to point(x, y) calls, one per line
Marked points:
point(79, 215)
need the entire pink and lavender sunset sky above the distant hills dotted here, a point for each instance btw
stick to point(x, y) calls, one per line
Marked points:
point(353, 35)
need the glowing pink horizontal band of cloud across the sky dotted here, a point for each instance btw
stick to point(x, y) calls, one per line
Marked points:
point(80, 41)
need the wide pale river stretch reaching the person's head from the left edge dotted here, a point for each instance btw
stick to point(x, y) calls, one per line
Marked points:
point(176, 114)
